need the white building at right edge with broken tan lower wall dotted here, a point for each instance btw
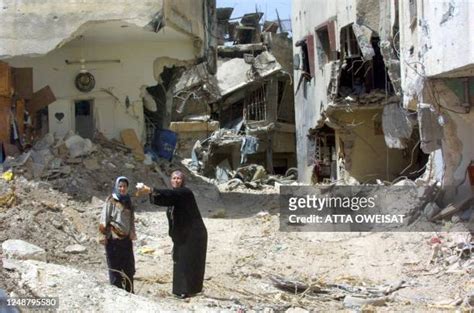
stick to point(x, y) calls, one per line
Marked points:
point(437, 78)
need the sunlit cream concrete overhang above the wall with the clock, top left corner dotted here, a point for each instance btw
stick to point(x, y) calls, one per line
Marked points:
point(67, 18)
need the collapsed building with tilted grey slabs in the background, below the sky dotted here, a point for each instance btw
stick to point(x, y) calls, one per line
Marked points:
point(244, 114)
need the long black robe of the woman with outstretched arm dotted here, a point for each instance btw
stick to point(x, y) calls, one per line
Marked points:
point(189, 235)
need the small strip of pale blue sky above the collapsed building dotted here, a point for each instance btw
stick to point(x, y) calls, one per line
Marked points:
point(266, 6)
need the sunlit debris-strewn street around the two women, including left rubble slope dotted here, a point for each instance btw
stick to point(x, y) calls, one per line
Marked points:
point(251, 264)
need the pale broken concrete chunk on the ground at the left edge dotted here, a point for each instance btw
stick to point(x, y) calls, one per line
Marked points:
point(22, 250)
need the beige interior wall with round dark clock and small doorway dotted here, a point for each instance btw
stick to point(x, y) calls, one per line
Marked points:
point(115, 102)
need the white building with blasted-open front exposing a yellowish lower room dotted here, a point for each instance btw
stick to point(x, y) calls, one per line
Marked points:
point(351, 127)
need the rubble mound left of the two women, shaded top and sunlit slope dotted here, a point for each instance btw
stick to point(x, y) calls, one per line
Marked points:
point(52, 195)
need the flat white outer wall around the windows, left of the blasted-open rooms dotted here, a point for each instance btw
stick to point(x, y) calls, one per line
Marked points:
point(311, 97)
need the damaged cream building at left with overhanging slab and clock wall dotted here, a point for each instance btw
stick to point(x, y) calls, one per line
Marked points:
point(93, 67)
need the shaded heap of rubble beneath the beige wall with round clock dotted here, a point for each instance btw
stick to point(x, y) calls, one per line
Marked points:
point(84, 169)
